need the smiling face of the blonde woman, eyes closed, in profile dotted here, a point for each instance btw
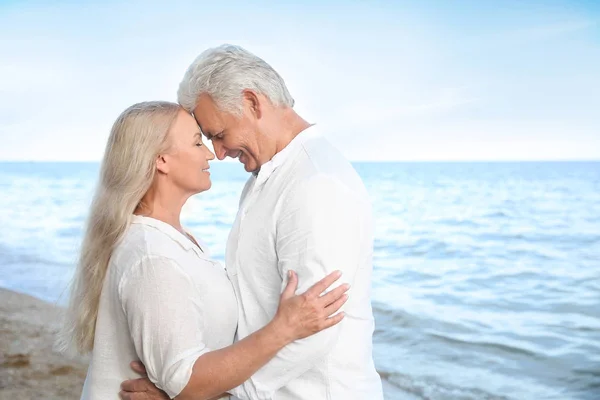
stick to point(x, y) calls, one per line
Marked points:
point(186, 161)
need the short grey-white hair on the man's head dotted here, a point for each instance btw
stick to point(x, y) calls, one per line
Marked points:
point(224, 72)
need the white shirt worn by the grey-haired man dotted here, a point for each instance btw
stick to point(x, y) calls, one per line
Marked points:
point(306, 210)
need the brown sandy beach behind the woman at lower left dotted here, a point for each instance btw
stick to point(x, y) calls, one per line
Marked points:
point(29, 367)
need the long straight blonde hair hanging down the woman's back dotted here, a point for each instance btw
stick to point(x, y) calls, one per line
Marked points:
point(137, 137)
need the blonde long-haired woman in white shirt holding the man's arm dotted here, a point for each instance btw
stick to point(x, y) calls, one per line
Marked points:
point(146, 289)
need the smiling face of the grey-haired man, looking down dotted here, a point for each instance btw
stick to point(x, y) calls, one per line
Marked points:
point(231, 136)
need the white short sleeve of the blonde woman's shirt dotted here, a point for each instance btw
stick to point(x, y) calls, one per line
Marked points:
point(165, 321)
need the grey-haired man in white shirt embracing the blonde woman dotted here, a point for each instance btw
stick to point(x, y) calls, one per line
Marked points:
point(304, 208)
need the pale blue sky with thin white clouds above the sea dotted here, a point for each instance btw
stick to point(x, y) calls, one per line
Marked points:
point(383, 80)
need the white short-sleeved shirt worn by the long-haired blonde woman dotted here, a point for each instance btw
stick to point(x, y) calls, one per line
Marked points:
point(164, 302)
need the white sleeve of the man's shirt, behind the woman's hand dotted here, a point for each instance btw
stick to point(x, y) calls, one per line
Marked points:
point(320, 230)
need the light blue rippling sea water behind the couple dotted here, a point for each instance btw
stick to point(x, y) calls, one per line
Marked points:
point(486, 275)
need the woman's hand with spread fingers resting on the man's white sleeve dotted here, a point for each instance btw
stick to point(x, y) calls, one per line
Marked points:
point(299, 316)
